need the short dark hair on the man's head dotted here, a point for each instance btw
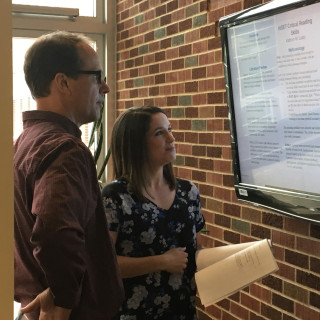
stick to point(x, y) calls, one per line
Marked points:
point(50, 54)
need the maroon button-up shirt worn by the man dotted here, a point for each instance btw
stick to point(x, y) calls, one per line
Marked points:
point(61, 236)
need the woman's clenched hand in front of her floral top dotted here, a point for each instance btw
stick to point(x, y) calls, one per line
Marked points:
point(175, 260)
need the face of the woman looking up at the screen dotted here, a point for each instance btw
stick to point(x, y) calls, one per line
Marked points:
point(160, 141)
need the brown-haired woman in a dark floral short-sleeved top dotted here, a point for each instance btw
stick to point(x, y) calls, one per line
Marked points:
point(153, 218)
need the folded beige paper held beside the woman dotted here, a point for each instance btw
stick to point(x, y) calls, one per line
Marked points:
point(240, 266)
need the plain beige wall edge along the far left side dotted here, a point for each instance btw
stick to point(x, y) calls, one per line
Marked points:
point(6, 162)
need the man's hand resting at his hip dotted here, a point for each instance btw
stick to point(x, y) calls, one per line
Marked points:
point(48, 311)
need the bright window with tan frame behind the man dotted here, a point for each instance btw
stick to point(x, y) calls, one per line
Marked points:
point(28, 26)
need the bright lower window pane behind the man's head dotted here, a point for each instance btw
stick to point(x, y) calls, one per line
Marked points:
point(22, 99)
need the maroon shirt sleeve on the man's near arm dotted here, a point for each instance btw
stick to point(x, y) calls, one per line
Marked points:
point(64, 202)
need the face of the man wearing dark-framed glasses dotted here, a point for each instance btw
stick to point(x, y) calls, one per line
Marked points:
point(87, 91)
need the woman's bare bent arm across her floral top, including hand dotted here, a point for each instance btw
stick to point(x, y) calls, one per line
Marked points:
point(173, 261)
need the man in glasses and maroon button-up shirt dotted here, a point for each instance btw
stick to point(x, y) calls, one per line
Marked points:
point(65, 266)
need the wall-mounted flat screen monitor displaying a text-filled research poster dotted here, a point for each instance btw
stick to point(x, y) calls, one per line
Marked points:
point(271, 56)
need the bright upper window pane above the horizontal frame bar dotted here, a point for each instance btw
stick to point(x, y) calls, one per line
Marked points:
point(86, 7)
